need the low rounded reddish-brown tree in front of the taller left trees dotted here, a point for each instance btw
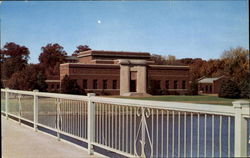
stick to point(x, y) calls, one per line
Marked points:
point(30, 78)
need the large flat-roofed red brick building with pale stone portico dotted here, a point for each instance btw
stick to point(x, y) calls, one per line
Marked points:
point(124, 73)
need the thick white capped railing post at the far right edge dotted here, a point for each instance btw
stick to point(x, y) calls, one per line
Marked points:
point(240, 129)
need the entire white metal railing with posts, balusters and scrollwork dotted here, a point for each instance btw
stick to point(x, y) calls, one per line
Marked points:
point(135, 127)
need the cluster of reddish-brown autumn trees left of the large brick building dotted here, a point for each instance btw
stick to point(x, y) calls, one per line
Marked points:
point(17, 73)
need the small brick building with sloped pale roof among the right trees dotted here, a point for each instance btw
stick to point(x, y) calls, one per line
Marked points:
point(210, 85)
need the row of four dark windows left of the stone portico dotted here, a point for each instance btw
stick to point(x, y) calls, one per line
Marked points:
point(95, 84)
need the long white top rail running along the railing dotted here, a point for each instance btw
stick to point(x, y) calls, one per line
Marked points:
point(177, 106)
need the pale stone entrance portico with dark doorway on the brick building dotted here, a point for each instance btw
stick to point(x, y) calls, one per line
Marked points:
point(133, 73)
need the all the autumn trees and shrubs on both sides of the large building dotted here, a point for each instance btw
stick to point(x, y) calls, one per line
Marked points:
point(17, 73)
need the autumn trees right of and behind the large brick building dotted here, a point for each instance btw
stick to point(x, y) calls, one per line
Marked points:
point(233, 63)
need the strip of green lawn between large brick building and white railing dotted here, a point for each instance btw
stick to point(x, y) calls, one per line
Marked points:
point(202, 99)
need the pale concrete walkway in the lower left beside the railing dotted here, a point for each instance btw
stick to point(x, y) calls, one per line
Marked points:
point(23, 142)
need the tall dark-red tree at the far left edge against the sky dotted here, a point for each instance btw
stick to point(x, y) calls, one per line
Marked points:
point(13, 59)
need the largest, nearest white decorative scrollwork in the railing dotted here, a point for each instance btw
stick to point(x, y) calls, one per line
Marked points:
point(143, 127)
